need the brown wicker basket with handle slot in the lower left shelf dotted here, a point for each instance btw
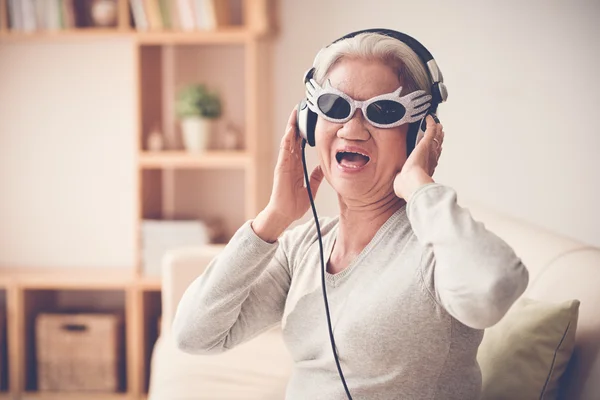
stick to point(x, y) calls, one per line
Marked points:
point(79, 352)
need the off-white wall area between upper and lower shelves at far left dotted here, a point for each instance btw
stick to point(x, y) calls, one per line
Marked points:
point(67, 171)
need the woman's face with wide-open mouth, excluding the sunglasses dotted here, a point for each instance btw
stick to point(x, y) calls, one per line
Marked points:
point(353, 176)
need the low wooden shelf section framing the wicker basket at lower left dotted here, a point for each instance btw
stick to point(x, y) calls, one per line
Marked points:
point(35, 291)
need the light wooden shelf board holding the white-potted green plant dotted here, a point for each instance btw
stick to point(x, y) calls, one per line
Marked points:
point(182, 159)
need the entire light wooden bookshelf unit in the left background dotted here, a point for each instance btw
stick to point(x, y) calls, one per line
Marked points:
point(163, 61)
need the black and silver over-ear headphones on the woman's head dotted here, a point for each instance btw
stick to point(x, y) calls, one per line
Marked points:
point(307, 119)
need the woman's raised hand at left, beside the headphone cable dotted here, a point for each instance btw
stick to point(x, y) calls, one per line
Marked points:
point(289, 198)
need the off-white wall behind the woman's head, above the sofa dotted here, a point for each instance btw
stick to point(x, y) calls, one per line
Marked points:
point(521, 133)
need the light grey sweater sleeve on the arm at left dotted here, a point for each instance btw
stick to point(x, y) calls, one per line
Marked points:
point(241, 294)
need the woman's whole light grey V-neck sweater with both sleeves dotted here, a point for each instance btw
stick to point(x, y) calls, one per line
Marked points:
point(408, 313)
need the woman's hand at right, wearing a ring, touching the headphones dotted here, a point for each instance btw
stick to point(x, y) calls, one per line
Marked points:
point(420, 165)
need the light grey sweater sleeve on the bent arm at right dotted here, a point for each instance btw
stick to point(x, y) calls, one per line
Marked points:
point(476, 275)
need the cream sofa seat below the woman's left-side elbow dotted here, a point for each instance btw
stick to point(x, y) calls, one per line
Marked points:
point(256, 370)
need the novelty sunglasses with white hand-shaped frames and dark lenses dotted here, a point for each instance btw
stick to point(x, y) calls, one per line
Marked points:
point(383, 111)
